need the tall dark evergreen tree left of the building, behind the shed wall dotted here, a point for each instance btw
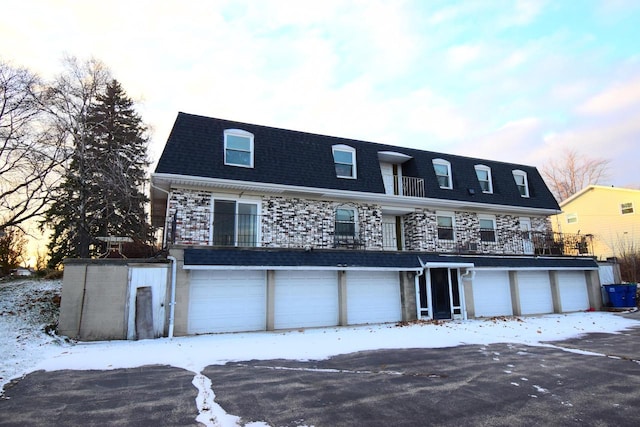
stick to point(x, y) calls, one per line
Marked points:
point(102, 193)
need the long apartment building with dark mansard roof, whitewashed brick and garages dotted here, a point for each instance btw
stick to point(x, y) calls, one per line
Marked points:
point(276, 229)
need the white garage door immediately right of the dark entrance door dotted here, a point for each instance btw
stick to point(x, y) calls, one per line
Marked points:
point(492, 294)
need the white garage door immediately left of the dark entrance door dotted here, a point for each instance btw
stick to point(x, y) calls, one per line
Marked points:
point(373, 297)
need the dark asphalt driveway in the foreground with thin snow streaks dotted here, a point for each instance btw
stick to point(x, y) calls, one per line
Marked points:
point(500, 384)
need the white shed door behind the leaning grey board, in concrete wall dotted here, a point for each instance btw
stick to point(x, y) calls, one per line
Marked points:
point(156, 278)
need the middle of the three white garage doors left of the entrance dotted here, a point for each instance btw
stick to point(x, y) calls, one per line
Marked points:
point(305, 299)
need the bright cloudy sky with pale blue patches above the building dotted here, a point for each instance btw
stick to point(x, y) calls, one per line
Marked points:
point(516, 81)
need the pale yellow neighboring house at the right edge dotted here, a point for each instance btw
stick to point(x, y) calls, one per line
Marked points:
point(605, 218)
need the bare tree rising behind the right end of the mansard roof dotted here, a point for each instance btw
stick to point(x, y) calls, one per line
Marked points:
point(572, 171)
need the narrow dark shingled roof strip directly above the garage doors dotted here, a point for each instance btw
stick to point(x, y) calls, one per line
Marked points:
point(239, 257)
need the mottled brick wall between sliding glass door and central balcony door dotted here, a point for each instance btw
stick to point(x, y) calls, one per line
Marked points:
point(303, 223)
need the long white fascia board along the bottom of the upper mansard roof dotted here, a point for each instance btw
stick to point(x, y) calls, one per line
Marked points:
point(386, 199)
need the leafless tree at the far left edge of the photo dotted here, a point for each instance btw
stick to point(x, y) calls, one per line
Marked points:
point(29, 151)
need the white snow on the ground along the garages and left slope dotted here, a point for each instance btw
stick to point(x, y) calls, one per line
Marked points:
point(25, 347)
